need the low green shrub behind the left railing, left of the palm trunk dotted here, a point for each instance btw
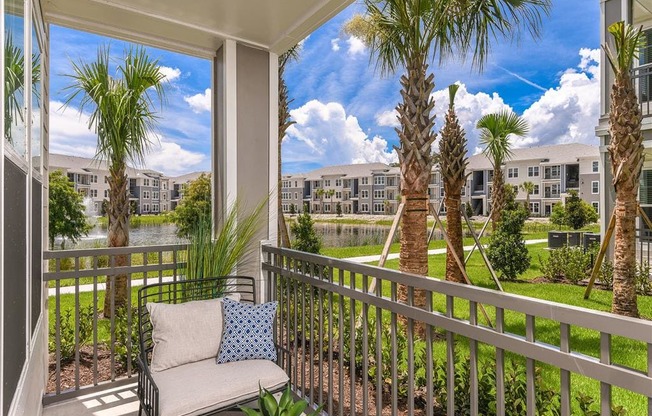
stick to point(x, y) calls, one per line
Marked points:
point(67, 332)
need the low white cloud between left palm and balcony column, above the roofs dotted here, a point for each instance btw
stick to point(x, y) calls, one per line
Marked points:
point(170, 158)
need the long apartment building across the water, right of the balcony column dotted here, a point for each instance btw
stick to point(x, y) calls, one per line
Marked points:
point(374, 188)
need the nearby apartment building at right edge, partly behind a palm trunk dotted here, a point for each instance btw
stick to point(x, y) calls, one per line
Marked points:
point(638, 13)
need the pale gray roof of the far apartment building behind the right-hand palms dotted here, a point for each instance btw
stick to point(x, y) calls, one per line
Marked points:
point(553, 154)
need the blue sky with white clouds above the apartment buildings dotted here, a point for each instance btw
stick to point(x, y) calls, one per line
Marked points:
point(344, 108)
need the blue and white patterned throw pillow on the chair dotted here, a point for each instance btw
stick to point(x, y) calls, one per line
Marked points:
point(248, 332)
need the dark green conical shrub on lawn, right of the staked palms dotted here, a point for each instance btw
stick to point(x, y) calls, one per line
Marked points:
point(507, 251)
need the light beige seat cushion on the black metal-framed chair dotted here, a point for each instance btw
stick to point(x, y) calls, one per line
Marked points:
point(196, 388)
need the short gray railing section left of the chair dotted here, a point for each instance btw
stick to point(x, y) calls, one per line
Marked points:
point(88, 352)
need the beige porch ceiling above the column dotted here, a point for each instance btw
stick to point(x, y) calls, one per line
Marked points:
point(196, 27)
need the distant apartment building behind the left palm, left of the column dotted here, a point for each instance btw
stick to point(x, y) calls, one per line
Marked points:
point(149, 190)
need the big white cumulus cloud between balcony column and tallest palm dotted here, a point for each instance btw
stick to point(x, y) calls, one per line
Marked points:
point(325, 135)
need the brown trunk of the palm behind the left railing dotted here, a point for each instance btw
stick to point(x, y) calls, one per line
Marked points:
point(116, 285)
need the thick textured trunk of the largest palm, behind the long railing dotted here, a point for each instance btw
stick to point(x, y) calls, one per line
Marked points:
point(415, 157)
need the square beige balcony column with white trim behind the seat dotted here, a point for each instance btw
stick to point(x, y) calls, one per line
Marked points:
point(245, 137)
